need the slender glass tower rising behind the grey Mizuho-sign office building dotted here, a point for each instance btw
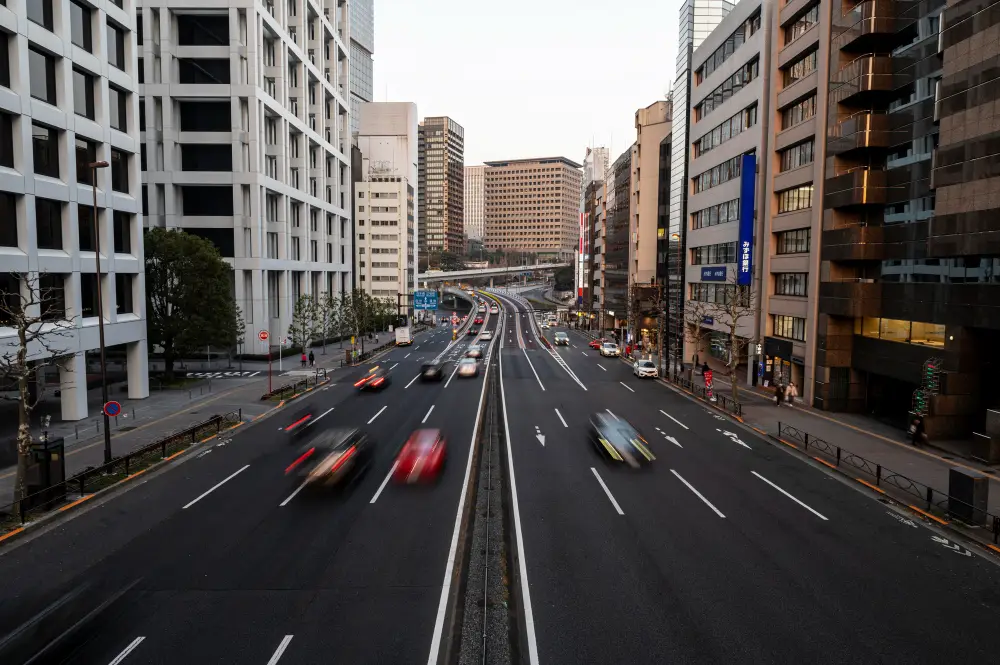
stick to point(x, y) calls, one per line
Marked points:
point(697, 20)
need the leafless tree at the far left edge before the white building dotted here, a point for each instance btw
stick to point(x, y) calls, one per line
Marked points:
point(37, 316)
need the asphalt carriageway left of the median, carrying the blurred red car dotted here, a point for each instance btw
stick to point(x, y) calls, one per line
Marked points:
point(229, 561)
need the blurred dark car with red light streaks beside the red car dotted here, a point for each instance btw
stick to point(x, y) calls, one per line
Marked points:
point(333, 457)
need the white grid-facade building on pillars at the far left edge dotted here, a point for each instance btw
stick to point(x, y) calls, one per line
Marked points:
point(68, 99)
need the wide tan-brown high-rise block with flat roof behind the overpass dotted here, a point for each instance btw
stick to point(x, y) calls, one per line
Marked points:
point(533, 206)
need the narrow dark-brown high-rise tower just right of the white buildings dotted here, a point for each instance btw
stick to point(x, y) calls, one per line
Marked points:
point(441, 187)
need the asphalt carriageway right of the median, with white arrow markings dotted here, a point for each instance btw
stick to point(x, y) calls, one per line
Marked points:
point(725, 549)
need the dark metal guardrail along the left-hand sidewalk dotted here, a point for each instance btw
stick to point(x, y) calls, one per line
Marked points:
point(94, 479)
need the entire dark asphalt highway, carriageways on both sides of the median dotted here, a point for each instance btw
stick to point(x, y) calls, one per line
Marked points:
point(725, 549)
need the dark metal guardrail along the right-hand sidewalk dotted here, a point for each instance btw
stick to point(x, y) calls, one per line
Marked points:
point(933, 500)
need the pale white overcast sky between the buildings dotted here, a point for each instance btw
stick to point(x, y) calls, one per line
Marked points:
point(524, 78)
